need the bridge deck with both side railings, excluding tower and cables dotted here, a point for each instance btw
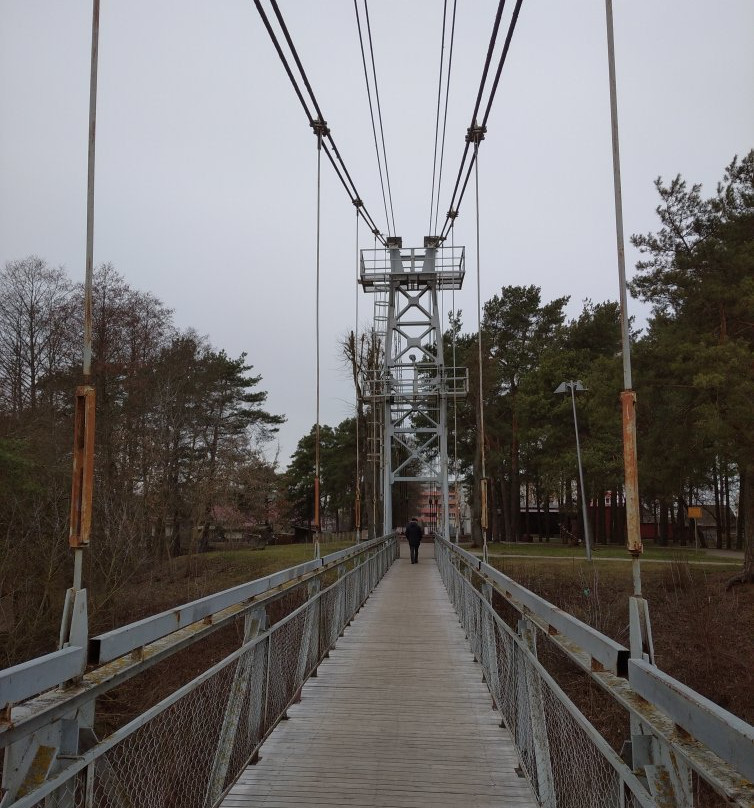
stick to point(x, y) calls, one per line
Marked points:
point(382, 684)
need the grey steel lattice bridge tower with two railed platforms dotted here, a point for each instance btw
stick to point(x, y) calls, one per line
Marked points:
point(413, 385)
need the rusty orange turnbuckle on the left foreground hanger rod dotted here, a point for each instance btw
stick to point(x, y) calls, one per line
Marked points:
point(83, 467)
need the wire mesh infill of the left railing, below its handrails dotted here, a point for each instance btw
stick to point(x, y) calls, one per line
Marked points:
point(188, 749)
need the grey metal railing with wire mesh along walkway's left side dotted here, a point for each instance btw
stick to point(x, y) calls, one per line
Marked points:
point(188, 749)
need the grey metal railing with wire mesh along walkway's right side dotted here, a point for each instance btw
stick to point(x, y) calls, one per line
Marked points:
point(674, 731)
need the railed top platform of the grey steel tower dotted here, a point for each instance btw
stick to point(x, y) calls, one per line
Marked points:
point(412, 268)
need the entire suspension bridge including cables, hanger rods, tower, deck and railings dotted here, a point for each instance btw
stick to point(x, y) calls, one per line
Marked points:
point(359, 679)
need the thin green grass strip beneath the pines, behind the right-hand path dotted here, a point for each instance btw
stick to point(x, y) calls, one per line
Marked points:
point(555, 549)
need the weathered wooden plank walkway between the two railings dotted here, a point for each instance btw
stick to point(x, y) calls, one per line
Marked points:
point(397, 717)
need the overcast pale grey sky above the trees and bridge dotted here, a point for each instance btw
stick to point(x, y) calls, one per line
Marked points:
point(205, 187)
